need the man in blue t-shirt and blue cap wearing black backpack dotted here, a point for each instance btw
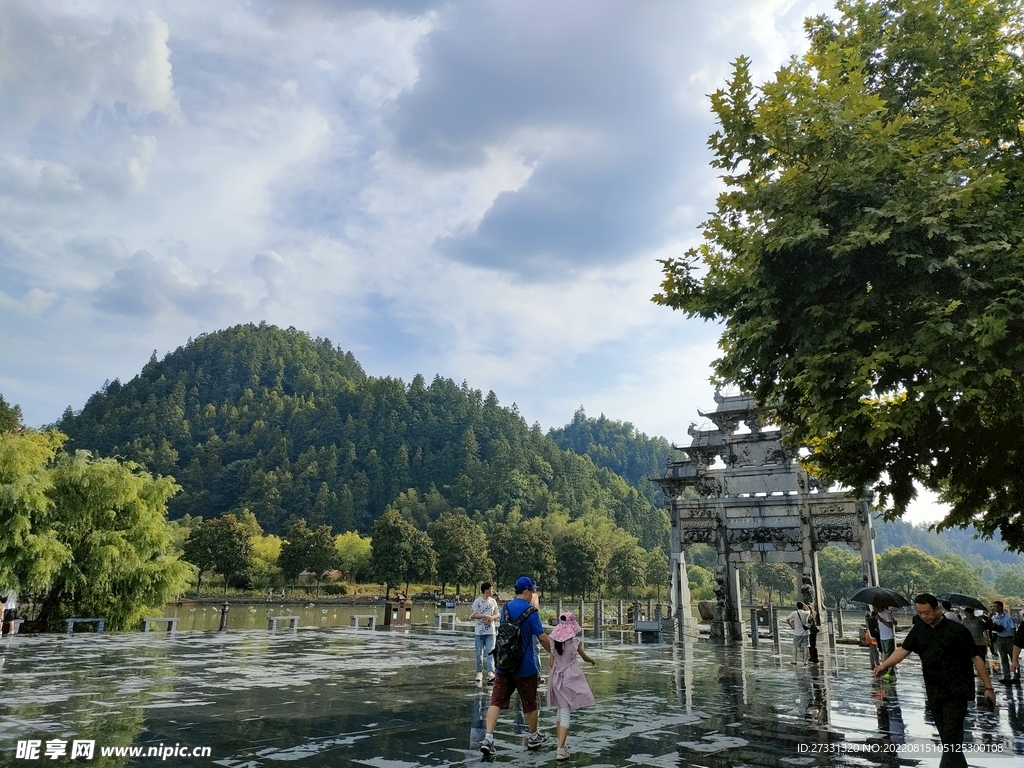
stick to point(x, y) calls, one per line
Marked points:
point(527, 677)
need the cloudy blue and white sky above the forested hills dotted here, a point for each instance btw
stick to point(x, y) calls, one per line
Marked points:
point(477, 190)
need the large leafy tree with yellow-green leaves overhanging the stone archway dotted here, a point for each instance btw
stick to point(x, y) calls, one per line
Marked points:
point(867, 258)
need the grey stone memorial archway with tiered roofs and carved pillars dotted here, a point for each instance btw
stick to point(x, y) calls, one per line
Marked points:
point(744, 492)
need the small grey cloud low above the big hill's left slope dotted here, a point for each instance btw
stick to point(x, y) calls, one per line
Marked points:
point(147, 288)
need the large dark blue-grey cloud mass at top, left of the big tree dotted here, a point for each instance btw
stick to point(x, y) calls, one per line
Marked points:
point(599, 98)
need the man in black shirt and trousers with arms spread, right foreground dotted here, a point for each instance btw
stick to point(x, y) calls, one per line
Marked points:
point(948, 654)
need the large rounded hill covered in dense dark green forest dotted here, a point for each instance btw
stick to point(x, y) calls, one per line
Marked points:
point(271, 420)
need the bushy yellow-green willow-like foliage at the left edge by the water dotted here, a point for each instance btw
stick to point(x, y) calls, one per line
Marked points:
point(84, 536)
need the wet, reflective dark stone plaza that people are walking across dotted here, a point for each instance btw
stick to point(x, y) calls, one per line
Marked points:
point(342, 697)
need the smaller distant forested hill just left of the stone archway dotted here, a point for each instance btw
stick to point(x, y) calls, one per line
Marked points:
point(620, 447)
